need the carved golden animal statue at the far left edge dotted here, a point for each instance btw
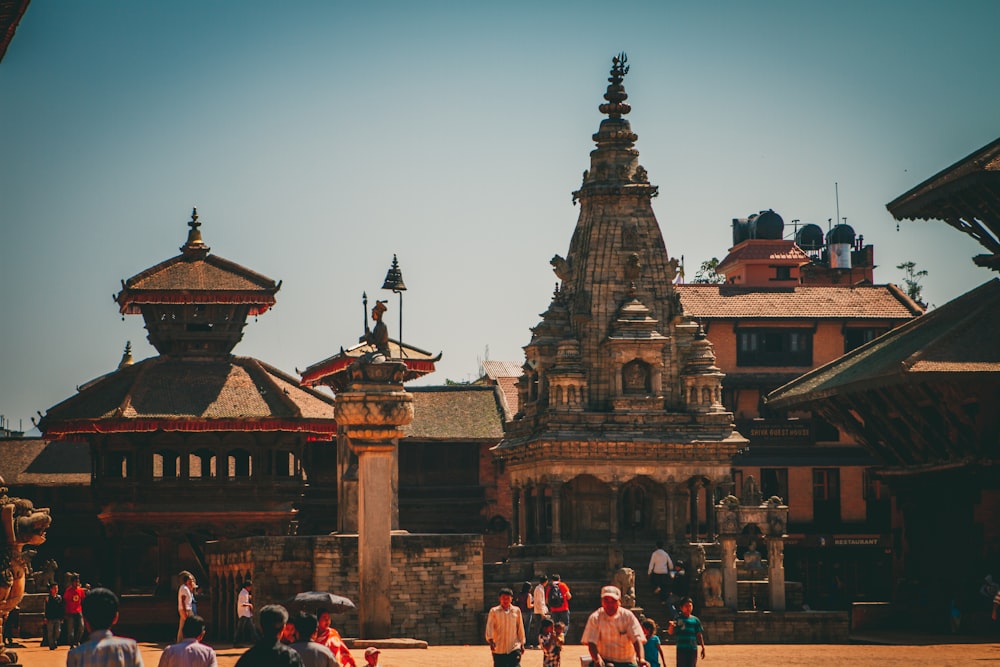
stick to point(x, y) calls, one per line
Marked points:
point(23, 525)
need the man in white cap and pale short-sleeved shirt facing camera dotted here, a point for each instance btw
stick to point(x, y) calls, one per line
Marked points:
point(613, 634)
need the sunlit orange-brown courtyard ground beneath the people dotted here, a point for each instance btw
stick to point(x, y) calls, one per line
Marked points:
point(785, 655)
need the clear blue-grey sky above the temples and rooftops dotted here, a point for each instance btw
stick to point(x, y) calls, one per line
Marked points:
point(319, 138)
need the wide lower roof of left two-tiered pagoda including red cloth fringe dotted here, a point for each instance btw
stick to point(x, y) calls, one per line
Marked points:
point(162, 393)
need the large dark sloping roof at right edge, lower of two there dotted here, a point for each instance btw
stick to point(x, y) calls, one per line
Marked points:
point(956, 339)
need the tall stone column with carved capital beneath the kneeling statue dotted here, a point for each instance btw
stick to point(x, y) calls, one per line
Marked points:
point(371, 412)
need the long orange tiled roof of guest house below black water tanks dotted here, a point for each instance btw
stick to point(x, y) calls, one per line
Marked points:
point(814, 302)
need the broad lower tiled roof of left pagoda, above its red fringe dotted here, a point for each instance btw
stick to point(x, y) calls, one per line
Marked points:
point(236, 388)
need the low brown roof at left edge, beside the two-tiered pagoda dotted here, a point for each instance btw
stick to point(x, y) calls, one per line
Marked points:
point(34, 461)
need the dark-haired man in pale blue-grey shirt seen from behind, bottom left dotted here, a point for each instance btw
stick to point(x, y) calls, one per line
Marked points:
point(100, 612)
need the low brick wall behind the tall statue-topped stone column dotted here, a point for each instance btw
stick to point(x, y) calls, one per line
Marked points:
point(437, 580)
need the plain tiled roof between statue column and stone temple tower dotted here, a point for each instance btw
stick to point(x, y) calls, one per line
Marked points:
point(456, 412)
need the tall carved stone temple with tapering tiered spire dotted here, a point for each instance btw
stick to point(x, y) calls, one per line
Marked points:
point(621, 435)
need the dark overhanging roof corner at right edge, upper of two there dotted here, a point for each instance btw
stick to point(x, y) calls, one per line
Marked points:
point(966, 195)
